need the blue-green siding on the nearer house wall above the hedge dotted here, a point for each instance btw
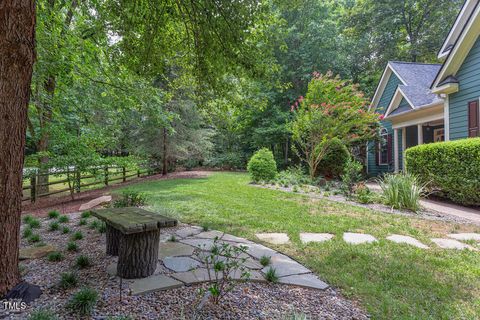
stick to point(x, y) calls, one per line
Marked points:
point(469, 89)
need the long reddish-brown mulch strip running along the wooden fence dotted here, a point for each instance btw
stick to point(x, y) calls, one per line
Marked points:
point(65, 204)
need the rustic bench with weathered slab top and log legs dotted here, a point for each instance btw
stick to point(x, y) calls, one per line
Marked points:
point(133, 234)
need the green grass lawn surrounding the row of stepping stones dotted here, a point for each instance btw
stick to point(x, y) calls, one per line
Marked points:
point(390, 281)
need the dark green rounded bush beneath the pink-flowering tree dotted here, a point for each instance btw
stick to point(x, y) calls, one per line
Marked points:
point(335, 160)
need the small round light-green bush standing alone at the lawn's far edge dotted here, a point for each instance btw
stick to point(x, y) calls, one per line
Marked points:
point(262, 166)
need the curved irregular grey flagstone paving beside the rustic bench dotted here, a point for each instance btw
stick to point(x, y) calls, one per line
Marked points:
point(179, 262)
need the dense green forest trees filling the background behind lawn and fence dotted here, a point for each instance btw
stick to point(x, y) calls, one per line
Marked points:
point(118, 78)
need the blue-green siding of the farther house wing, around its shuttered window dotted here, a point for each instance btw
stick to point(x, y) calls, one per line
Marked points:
point(383, 104)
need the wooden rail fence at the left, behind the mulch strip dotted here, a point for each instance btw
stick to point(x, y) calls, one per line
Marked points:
point(101, 177)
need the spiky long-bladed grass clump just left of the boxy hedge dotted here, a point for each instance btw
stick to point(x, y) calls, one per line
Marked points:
point(402, 191)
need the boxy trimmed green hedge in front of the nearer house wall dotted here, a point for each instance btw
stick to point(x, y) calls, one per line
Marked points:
point(452, 167)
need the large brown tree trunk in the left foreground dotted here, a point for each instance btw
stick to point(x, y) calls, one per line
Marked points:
point(17, 43)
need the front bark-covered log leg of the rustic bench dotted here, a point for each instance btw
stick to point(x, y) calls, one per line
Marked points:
point(138, 254)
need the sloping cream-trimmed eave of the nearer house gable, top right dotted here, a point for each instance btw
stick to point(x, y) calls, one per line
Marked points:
point(465, 41)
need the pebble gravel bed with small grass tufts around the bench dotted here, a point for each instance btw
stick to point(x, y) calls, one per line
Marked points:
point(247, 301)
